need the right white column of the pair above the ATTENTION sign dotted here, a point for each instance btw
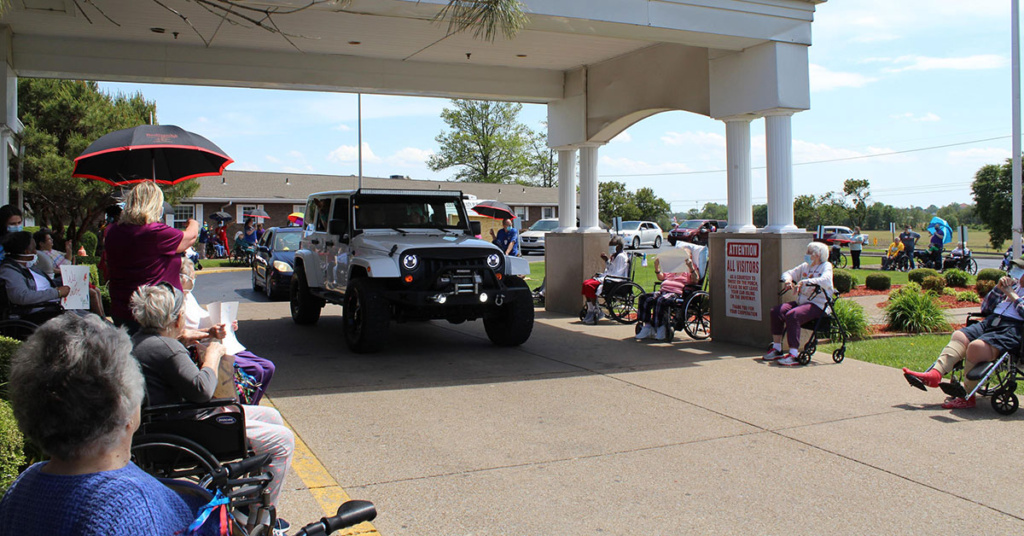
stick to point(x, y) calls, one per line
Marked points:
point(779, 132)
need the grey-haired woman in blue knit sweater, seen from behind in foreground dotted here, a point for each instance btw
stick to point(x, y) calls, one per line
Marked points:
point(76, 392)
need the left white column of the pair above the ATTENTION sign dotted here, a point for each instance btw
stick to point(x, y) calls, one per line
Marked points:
point(738, 141)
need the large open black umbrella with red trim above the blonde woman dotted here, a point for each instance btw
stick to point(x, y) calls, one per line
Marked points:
point(164, 154)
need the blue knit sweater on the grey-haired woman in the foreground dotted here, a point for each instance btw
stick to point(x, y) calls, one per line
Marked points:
point(125, 502)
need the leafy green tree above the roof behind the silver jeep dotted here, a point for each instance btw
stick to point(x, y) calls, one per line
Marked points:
point(487, 143)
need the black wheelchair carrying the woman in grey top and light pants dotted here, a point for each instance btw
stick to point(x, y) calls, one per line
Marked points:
point(204, 447)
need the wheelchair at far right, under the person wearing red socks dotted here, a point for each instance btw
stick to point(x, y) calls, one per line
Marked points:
point(997, 380)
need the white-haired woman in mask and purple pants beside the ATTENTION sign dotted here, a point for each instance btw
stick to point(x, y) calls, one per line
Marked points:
point(788, 318)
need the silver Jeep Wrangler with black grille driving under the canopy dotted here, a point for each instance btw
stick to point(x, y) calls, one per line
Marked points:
point(405, 256)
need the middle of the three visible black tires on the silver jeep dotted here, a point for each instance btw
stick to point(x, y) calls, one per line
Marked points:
point(366, 316)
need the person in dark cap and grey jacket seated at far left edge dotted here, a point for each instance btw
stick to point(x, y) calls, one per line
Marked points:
point(31, 295)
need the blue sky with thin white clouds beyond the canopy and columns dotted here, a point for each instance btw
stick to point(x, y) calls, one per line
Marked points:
point(926, 85)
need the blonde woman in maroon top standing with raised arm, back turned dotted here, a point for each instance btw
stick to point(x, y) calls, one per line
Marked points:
point(140, 250)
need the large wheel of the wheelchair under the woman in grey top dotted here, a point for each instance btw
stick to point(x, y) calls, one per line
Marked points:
point(168, 457)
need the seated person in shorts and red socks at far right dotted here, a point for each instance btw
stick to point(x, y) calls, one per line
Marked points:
point(980, 343)
